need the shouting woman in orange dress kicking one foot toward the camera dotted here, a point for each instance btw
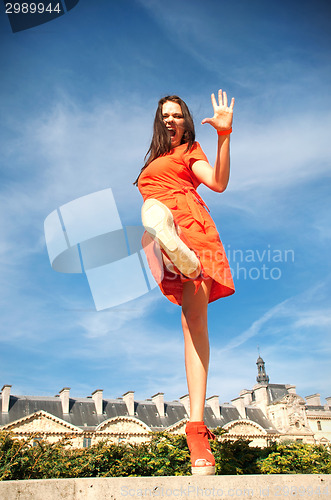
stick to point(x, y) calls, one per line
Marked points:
point(194, 269)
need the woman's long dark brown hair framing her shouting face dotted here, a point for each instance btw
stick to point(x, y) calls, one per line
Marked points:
point(161, 142)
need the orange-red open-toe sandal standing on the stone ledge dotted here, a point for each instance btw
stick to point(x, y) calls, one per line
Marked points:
point(202, 459)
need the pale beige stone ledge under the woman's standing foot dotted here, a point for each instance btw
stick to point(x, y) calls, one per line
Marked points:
point(275, 486)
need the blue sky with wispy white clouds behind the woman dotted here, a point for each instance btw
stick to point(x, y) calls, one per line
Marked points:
point(77, 100)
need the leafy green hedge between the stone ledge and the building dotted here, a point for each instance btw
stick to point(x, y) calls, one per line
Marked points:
point(164, 455)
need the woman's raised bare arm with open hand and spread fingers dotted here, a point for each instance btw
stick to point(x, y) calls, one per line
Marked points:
point(217, 178)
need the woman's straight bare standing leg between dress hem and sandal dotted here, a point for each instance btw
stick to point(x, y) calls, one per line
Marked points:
point(195, 329)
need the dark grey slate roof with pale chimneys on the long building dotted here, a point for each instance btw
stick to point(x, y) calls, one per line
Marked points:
point(91, 412)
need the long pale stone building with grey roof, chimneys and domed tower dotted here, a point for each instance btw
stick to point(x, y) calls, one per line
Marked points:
point(266, 413)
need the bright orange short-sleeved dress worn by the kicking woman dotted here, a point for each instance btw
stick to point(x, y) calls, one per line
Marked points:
point(170, 179)
